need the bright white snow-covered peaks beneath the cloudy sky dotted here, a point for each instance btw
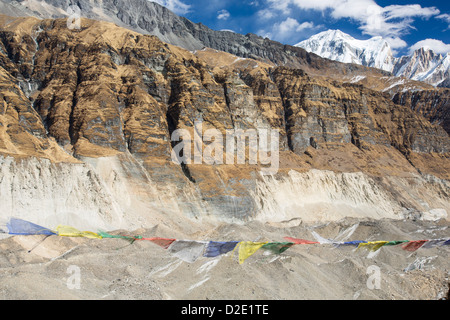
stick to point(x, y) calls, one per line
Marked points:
point(422, 65)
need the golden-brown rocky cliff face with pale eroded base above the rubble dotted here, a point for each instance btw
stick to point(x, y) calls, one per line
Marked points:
point(103, 102)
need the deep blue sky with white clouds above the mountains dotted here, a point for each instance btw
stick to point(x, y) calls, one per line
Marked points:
point(406, 25)
